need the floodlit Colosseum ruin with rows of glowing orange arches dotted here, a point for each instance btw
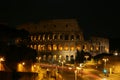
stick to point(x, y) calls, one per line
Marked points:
point(60, 38)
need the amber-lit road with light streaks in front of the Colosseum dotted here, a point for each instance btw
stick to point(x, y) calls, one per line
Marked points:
point(89, 73)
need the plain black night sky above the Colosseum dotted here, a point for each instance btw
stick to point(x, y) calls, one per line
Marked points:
point(95, 17)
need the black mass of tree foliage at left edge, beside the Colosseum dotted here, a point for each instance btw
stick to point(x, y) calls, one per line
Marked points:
point(10, 50)
